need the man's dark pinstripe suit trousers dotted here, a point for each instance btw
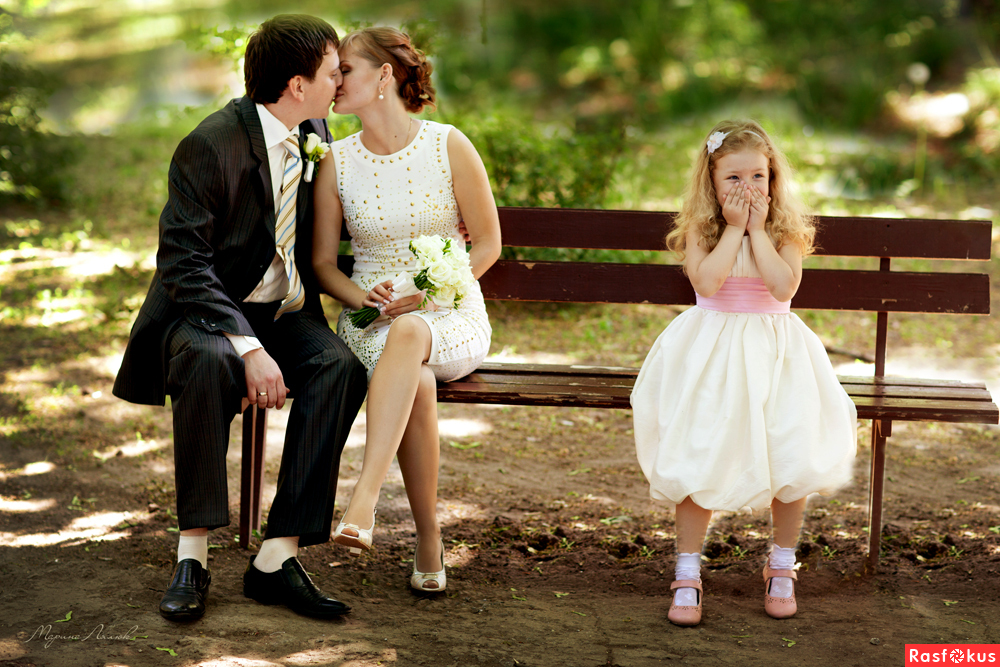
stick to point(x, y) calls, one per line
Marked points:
point(207, 382)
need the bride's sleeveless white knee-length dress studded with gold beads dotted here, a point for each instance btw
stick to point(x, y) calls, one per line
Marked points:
point(388, 201)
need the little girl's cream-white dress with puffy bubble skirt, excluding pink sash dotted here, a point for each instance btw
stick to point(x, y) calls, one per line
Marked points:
point(736, 408)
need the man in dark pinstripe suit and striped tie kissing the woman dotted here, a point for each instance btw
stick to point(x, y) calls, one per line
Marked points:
point(231, 317)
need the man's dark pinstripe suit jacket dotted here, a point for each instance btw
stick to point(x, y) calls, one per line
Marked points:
point(216, 242)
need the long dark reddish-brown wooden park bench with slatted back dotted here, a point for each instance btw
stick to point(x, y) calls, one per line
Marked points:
point(881, 399)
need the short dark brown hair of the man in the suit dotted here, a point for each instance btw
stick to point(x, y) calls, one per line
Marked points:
point(284, 46)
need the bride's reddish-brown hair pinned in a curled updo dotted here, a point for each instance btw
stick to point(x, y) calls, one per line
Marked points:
point(410, 66)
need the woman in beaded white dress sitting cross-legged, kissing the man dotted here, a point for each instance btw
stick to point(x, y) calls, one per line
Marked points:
point(395, 180)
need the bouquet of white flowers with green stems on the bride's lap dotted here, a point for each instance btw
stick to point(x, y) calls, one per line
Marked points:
point(443, 269)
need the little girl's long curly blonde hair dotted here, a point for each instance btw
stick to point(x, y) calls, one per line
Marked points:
point(787, 221)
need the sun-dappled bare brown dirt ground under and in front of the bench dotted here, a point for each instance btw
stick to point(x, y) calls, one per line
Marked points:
point(556, 555)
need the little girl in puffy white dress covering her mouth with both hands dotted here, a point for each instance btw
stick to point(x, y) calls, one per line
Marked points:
point(737, 404)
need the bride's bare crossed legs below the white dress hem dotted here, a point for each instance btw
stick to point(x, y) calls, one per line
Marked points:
point(402, 422)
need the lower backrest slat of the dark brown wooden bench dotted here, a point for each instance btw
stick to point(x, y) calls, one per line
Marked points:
point(826, 289)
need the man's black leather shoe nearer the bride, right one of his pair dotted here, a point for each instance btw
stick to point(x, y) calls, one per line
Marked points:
point(292, 587)
